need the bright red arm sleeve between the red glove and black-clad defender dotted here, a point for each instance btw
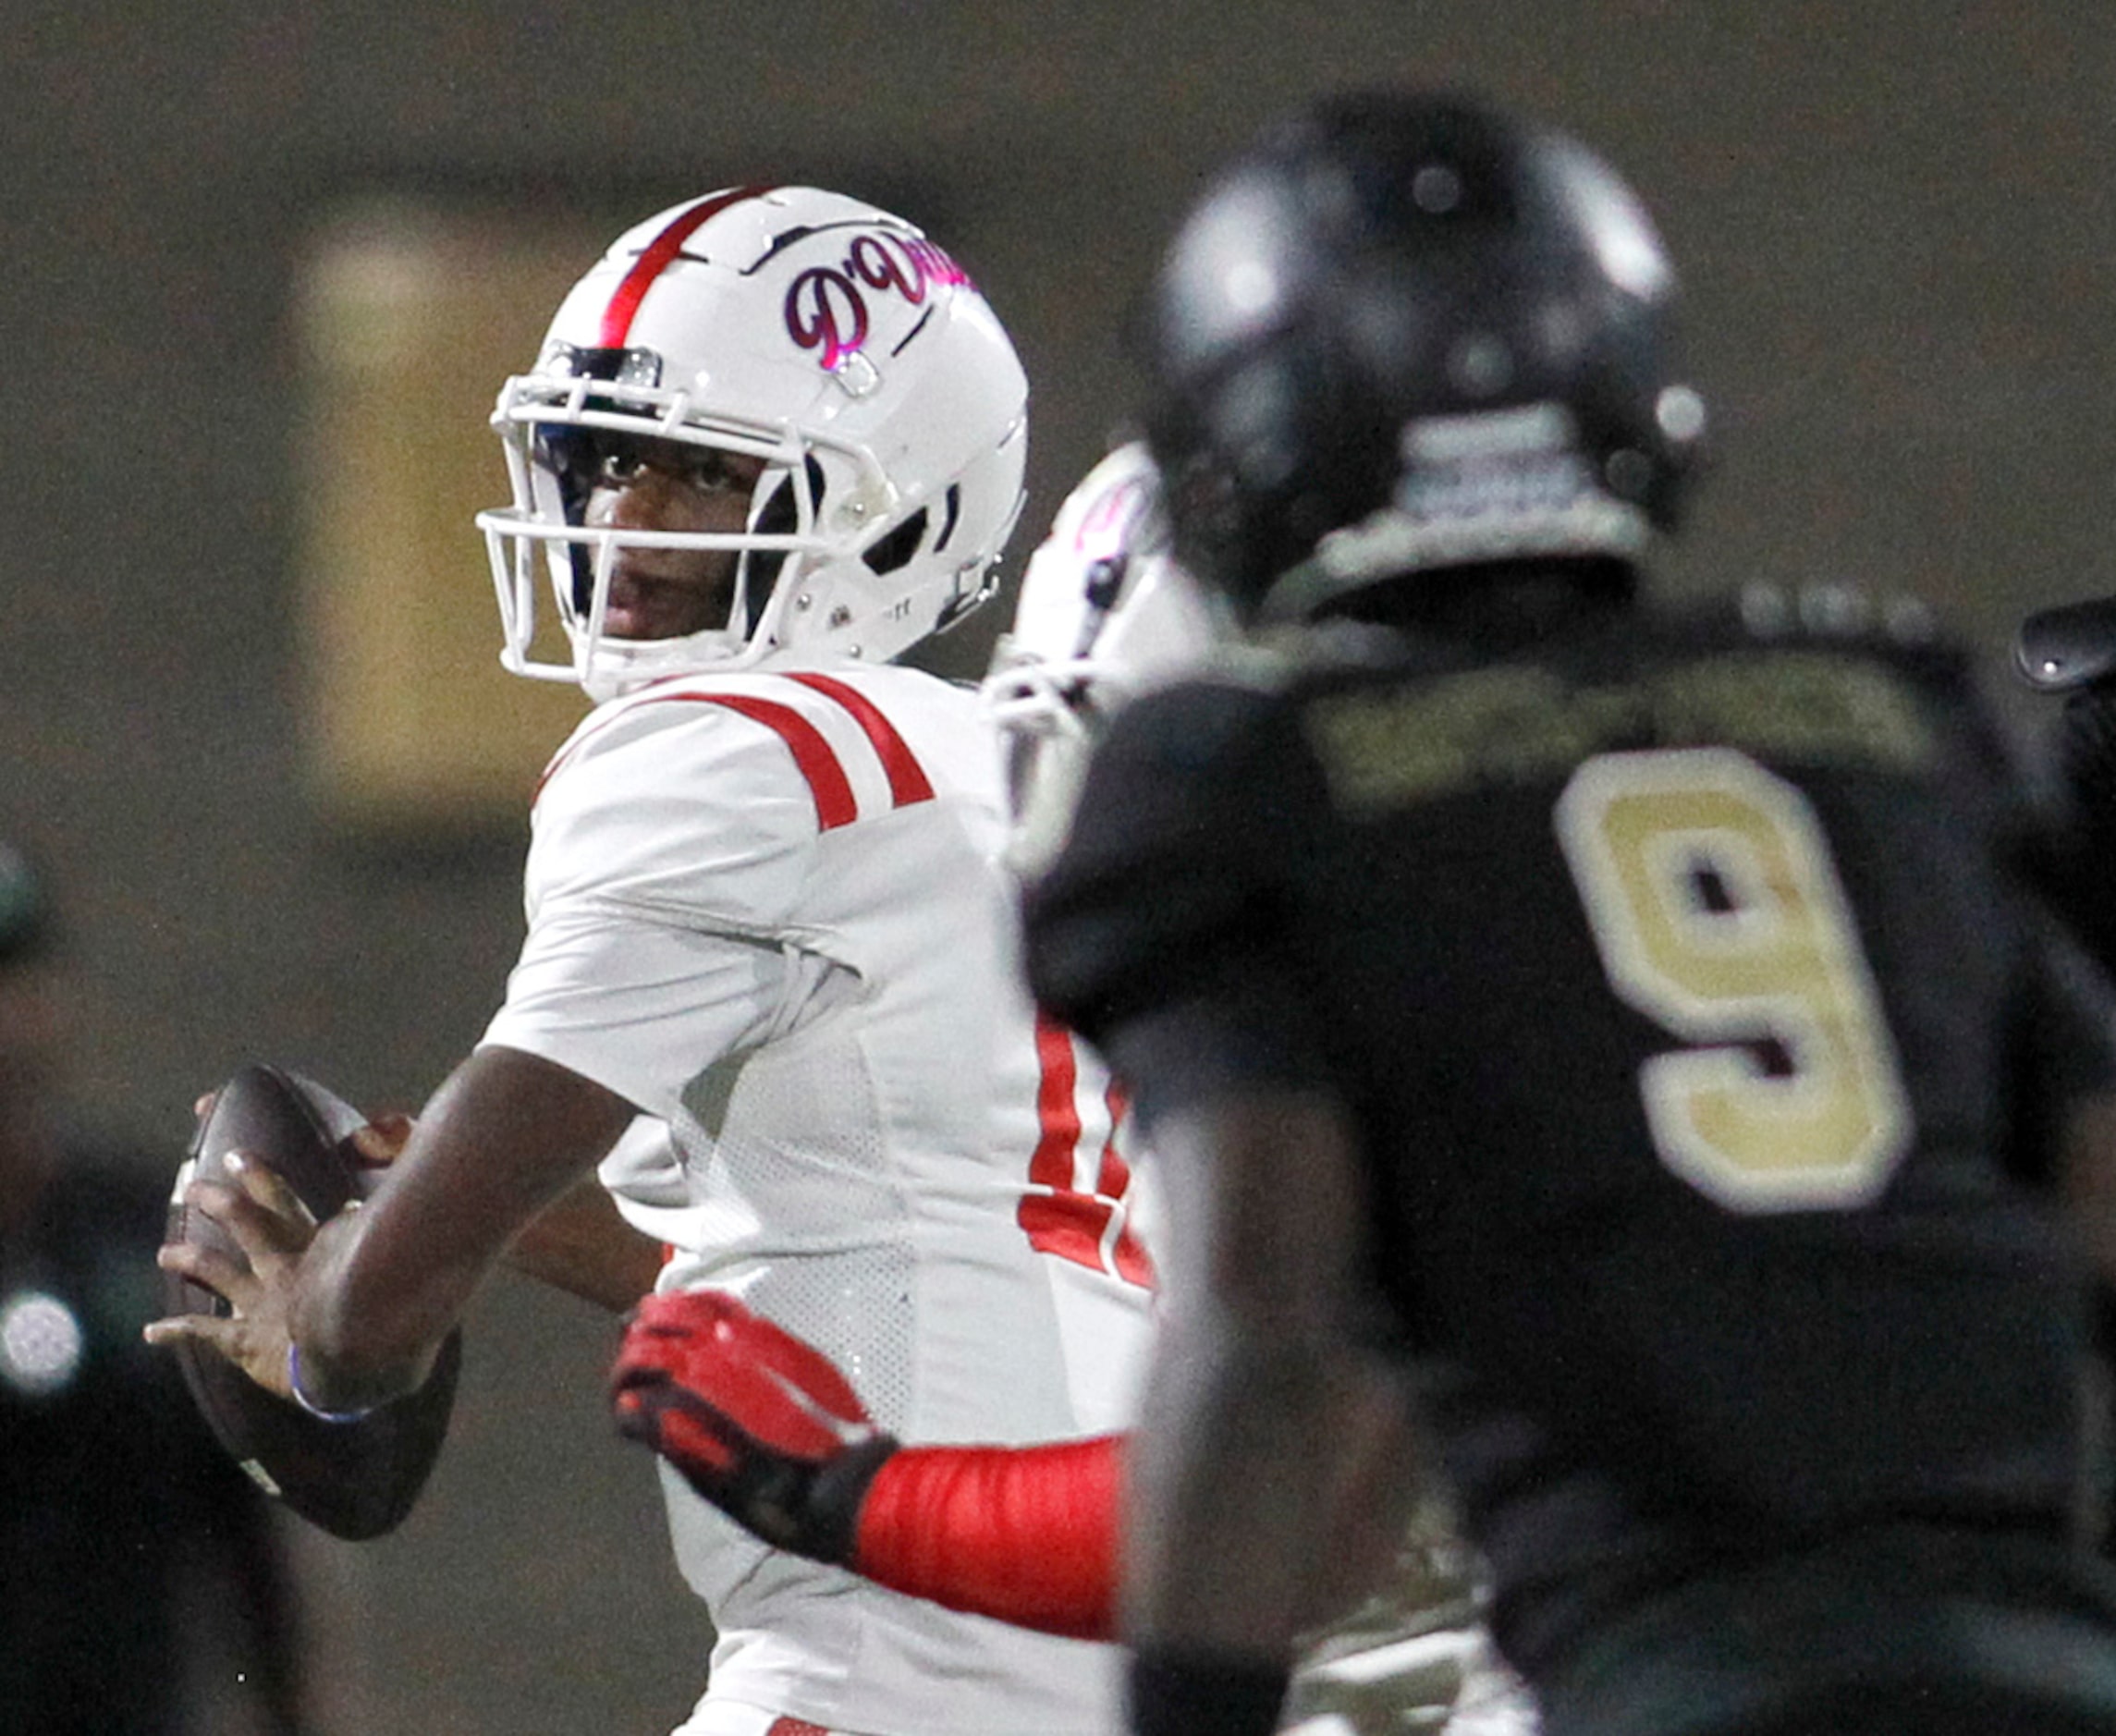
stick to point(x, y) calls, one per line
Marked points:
point(1023, 1534)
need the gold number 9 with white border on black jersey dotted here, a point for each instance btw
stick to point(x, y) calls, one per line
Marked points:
point(1717, 909)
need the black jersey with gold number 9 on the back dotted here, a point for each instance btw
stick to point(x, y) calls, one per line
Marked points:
point(1696, 1028)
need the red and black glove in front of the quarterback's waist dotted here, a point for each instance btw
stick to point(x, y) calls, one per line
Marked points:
point(761, 1424)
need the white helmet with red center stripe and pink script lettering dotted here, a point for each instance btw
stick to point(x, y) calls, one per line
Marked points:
point(820, 336)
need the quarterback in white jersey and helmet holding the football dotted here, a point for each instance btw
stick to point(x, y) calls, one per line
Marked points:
point(773, 439)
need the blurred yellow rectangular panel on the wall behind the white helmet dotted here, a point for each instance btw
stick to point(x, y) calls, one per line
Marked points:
point(409, 319)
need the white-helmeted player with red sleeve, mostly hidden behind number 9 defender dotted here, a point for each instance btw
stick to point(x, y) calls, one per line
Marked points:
point(1103, 615)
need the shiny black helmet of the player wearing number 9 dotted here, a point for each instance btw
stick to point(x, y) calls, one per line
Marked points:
point(1406, 333)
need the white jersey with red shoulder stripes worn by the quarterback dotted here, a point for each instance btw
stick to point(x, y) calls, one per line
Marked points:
point(769, 911)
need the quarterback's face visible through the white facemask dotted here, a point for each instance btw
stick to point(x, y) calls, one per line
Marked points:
point(670, 486)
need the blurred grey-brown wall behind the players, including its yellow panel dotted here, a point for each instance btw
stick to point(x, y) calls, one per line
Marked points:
point(268, 266)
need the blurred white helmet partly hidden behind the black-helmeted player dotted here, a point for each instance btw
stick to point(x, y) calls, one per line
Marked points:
point(1103, 613)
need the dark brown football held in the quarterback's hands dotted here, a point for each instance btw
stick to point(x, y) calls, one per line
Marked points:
point(359, 1479)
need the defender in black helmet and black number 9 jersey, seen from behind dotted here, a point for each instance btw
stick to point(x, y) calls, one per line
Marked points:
point(1622, 1021)
